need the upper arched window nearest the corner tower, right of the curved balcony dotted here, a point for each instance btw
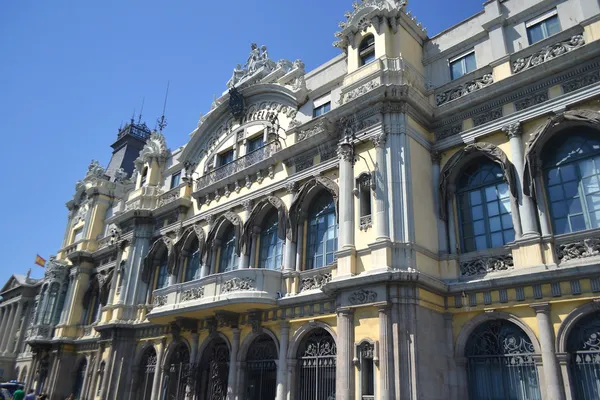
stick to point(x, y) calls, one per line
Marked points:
point(322, 232)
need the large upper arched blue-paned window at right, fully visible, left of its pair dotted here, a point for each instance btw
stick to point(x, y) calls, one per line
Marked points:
point(484, 207)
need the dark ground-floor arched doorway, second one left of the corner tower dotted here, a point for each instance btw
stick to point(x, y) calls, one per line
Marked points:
point(261, 369)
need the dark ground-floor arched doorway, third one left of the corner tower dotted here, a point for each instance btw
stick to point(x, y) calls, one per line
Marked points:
point(213, 371)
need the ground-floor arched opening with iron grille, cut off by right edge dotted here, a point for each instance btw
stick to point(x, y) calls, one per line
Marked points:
point(584, 347)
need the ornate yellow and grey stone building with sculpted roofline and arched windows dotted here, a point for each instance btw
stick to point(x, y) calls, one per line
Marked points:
point(418, 218)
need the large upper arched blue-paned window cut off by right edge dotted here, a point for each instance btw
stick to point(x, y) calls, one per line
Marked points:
point(572, 177)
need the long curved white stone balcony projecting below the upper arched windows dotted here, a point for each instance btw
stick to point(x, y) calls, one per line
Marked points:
point(238, 290)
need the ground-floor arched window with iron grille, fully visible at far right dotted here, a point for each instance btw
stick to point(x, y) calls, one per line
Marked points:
point(500, 363)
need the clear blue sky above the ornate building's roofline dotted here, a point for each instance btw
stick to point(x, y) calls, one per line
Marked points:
point(72, 71)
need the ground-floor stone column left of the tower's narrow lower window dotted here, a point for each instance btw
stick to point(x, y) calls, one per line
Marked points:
point(345, 346)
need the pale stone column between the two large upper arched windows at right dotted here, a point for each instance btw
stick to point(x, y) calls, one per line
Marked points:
point(527, 209)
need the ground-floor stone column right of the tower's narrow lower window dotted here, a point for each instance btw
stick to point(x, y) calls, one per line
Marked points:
point(386, 357)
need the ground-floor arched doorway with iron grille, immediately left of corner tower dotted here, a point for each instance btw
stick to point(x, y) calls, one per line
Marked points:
point(316, 366)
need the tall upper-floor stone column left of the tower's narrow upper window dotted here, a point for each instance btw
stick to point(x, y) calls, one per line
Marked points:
point(346, 208)
